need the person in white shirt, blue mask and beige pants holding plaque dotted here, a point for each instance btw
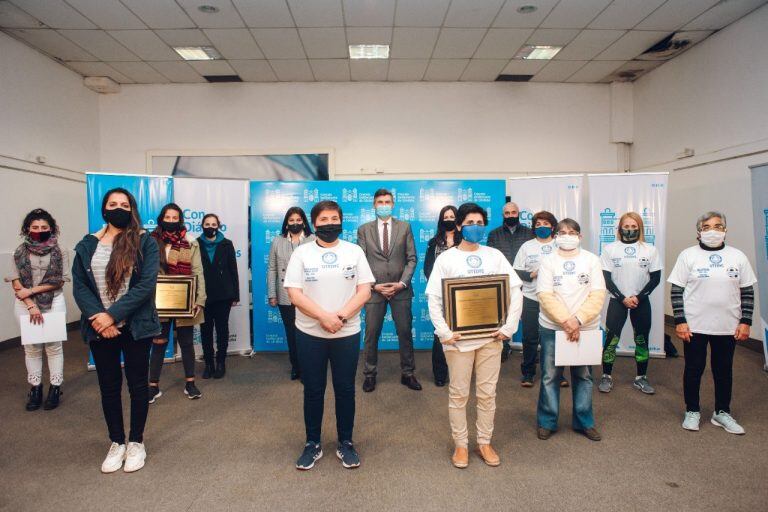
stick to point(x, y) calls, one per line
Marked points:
point(467, 356)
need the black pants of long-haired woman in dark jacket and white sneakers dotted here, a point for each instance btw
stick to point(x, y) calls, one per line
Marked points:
point(106, 356)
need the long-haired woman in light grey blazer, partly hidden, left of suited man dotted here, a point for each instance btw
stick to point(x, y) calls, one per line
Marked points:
point(295, 232)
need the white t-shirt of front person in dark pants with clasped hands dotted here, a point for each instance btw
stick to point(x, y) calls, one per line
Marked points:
point(329, 276)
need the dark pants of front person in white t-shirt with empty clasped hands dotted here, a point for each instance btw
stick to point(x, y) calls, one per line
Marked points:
point(314, 355)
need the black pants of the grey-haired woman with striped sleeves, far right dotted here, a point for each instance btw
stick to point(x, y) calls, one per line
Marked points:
point(722, 349)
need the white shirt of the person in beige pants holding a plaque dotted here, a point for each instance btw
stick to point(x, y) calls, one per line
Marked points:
point(457, 263)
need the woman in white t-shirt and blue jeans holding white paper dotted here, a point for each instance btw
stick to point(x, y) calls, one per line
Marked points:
point(571, 291)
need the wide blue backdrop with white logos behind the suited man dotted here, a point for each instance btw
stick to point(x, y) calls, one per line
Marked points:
point(418, 202)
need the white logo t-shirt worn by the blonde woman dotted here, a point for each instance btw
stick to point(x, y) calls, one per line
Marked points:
point(630, 265)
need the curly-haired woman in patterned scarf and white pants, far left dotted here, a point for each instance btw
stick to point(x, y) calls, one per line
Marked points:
point(37, 274)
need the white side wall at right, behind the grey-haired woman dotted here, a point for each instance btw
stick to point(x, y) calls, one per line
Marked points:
point(713, 99)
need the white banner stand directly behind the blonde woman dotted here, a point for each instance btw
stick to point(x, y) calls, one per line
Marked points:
point(612, 195)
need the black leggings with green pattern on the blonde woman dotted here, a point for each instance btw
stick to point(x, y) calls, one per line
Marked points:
point(641, 325)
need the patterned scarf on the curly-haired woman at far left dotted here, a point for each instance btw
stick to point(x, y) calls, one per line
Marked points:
point(53, 274)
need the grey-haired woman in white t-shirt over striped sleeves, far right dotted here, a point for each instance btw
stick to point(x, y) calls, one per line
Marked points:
point(712, 300)
